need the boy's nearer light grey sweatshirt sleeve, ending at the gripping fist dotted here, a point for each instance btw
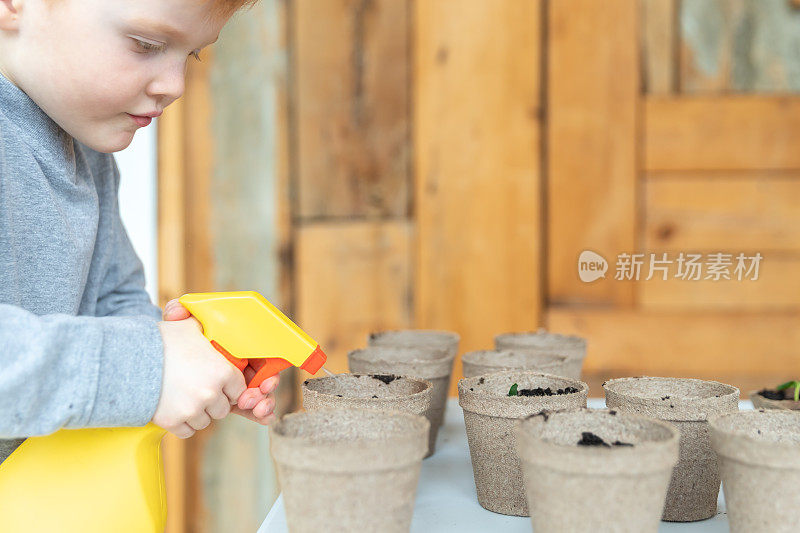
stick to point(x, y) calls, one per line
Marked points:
point(76, 371)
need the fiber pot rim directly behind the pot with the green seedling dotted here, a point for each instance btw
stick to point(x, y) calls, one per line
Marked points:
point(487, 361)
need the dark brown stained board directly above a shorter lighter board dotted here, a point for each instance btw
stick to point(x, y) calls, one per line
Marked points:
point(351, 69)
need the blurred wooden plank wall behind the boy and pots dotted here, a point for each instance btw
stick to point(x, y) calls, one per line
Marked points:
point(377, 164)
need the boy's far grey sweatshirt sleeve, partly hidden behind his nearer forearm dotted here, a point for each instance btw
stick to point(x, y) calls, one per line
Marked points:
point(122, 292)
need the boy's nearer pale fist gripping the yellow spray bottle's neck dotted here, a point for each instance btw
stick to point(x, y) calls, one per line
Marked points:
point(198, 384)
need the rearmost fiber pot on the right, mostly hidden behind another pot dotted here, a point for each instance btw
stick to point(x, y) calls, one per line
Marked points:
point(541, 341)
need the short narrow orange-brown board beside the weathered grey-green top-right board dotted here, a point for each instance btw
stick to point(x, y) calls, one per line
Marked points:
point(659, 46)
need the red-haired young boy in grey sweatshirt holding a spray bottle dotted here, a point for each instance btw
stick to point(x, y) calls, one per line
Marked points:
point(80, 343)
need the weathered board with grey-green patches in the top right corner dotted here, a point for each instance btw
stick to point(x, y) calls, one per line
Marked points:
point(739, 46)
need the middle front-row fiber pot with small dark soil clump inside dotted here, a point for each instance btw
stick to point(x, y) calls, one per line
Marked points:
point(596, 488)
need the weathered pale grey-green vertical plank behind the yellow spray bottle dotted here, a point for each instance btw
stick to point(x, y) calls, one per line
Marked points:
point(249, 228)
